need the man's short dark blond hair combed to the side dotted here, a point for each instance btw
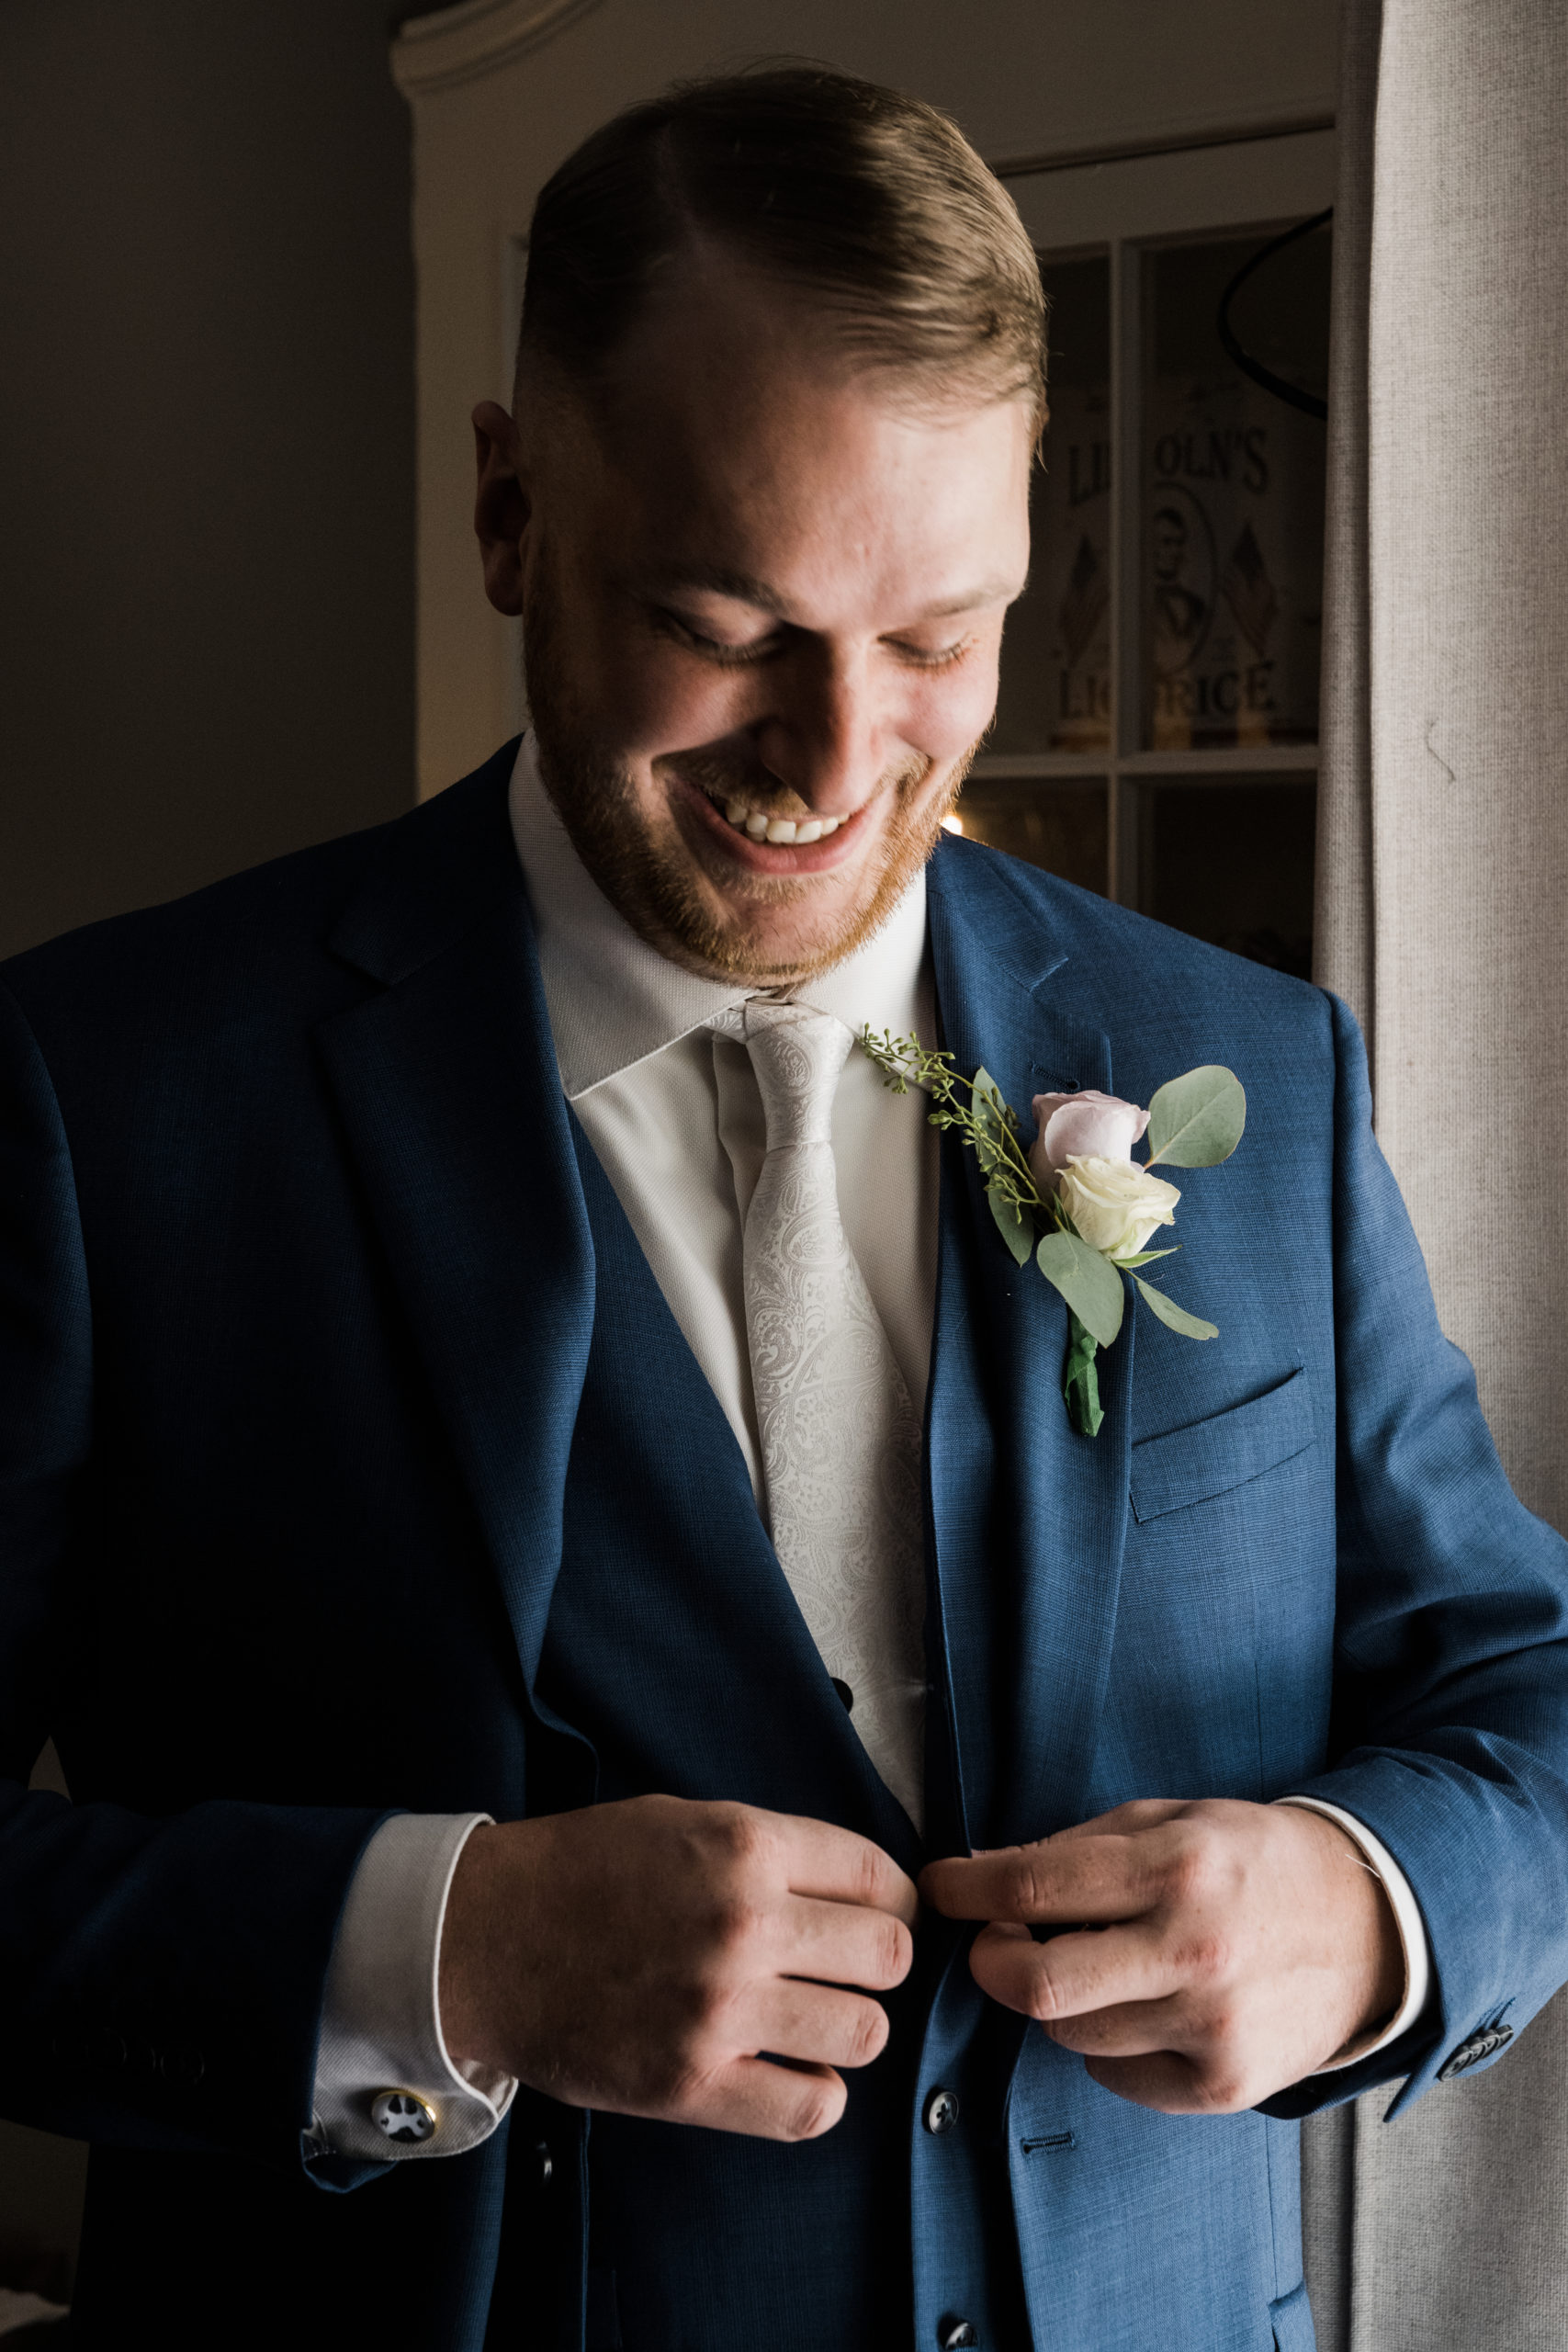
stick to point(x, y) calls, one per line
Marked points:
point(866, 199)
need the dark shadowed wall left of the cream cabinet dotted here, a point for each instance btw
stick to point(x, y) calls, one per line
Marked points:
point(206, 443)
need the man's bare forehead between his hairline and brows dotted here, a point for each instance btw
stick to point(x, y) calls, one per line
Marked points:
point(739, 439)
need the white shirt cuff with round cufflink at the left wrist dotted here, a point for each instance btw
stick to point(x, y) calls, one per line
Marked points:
point(384, 2080)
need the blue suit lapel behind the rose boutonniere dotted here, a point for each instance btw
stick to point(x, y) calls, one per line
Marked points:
point(1028, 1518)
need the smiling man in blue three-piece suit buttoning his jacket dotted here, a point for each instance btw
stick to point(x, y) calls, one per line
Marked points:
point(540, 1506)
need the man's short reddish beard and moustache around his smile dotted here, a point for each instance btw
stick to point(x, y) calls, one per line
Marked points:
point(652, 888)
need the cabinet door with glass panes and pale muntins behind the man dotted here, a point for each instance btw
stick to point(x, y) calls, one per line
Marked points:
point(1155, 733)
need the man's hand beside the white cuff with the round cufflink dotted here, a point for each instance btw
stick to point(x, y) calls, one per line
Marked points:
point(641, 1956)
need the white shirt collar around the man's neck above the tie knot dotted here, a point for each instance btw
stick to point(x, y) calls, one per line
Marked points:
point(615, 998)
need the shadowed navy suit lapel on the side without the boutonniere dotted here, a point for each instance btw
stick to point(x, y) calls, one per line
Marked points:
point(455, 1118)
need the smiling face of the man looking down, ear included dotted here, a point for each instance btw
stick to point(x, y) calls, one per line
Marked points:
point(763, 606)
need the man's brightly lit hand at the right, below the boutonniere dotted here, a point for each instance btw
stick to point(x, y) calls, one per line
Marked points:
point(1212, 1953)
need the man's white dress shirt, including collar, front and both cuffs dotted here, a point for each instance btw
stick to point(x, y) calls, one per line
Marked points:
point(676, 1118)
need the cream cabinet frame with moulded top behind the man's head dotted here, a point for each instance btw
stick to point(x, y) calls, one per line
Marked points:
point(504, 91)
